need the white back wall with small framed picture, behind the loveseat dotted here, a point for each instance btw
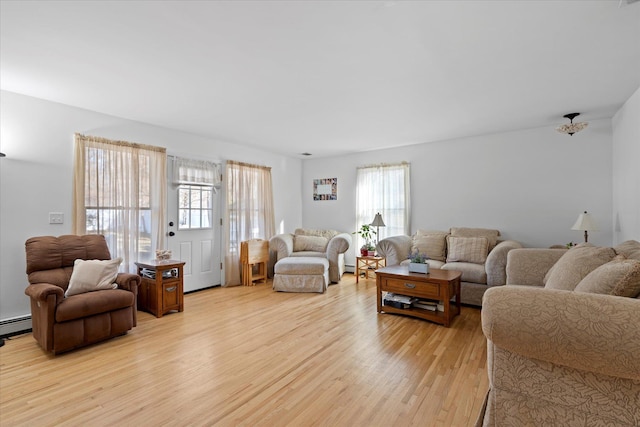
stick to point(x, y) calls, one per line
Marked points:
point(530, 184)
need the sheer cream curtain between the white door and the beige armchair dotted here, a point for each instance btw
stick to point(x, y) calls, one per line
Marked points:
point(249, 213)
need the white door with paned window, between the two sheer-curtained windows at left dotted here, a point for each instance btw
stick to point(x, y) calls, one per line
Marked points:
point(194, 232)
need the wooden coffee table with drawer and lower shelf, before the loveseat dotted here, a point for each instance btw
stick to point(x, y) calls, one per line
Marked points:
point(440, 285)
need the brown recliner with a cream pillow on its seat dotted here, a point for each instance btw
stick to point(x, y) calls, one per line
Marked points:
point(63, 323)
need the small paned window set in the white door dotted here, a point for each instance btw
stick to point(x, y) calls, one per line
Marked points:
point(194, 207)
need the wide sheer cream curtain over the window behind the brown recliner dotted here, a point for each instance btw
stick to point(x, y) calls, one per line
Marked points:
point(120, 192)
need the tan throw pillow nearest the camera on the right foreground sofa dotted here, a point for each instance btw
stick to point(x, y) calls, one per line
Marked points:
point(620, 277)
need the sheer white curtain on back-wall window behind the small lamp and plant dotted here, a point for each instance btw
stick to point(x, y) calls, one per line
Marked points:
point(384, 188)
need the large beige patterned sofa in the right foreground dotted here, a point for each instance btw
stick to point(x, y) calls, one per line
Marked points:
point(559, 356)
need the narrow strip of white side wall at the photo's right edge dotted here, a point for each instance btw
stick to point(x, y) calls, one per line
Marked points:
point(626, 171)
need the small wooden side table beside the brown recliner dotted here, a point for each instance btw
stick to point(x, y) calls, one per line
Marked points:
point(161, 286)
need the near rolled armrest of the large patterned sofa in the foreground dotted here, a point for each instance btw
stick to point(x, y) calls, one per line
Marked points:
point(590, 332)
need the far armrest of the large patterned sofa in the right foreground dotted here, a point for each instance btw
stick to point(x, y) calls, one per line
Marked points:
point(528, 266)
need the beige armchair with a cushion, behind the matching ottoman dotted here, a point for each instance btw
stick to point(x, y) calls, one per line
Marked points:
point(329, 244)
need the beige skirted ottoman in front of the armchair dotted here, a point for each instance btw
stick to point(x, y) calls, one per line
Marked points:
point(301, 274)
